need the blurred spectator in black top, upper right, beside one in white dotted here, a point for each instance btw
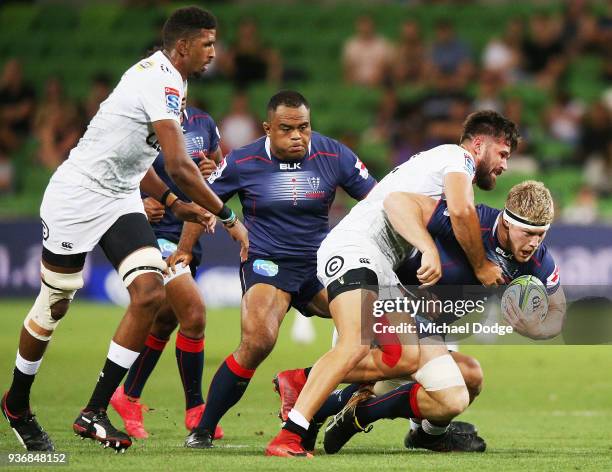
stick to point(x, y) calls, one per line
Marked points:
point(543, 50)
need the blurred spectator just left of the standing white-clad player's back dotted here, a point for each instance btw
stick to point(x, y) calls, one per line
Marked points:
point(58, 125)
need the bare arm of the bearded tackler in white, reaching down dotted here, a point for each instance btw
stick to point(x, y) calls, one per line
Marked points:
point(466, 226)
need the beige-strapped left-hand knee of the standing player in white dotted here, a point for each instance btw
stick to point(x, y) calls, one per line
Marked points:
point(56, 292)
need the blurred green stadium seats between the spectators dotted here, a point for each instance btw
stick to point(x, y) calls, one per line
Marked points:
point(76, 43)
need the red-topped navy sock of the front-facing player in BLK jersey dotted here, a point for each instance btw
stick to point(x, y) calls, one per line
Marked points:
point(226, 389)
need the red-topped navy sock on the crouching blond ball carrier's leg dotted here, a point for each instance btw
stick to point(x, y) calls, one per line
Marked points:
point(398, 403)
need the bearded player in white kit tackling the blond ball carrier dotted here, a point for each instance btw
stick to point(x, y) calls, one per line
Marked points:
point(363, 250)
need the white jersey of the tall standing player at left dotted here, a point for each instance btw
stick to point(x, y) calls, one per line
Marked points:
point(120, 144)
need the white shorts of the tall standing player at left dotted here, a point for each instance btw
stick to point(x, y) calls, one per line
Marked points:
point(75, 218)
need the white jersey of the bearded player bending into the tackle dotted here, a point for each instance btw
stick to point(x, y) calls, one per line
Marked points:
point(424, 174)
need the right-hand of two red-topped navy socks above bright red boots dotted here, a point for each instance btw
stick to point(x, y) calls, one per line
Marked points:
point(190, 360)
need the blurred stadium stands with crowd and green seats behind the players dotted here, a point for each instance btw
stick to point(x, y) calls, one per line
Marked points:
point(387, 78)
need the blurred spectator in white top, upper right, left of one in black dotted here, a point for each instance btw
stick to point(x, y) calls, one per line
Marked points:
point(502, 56)
